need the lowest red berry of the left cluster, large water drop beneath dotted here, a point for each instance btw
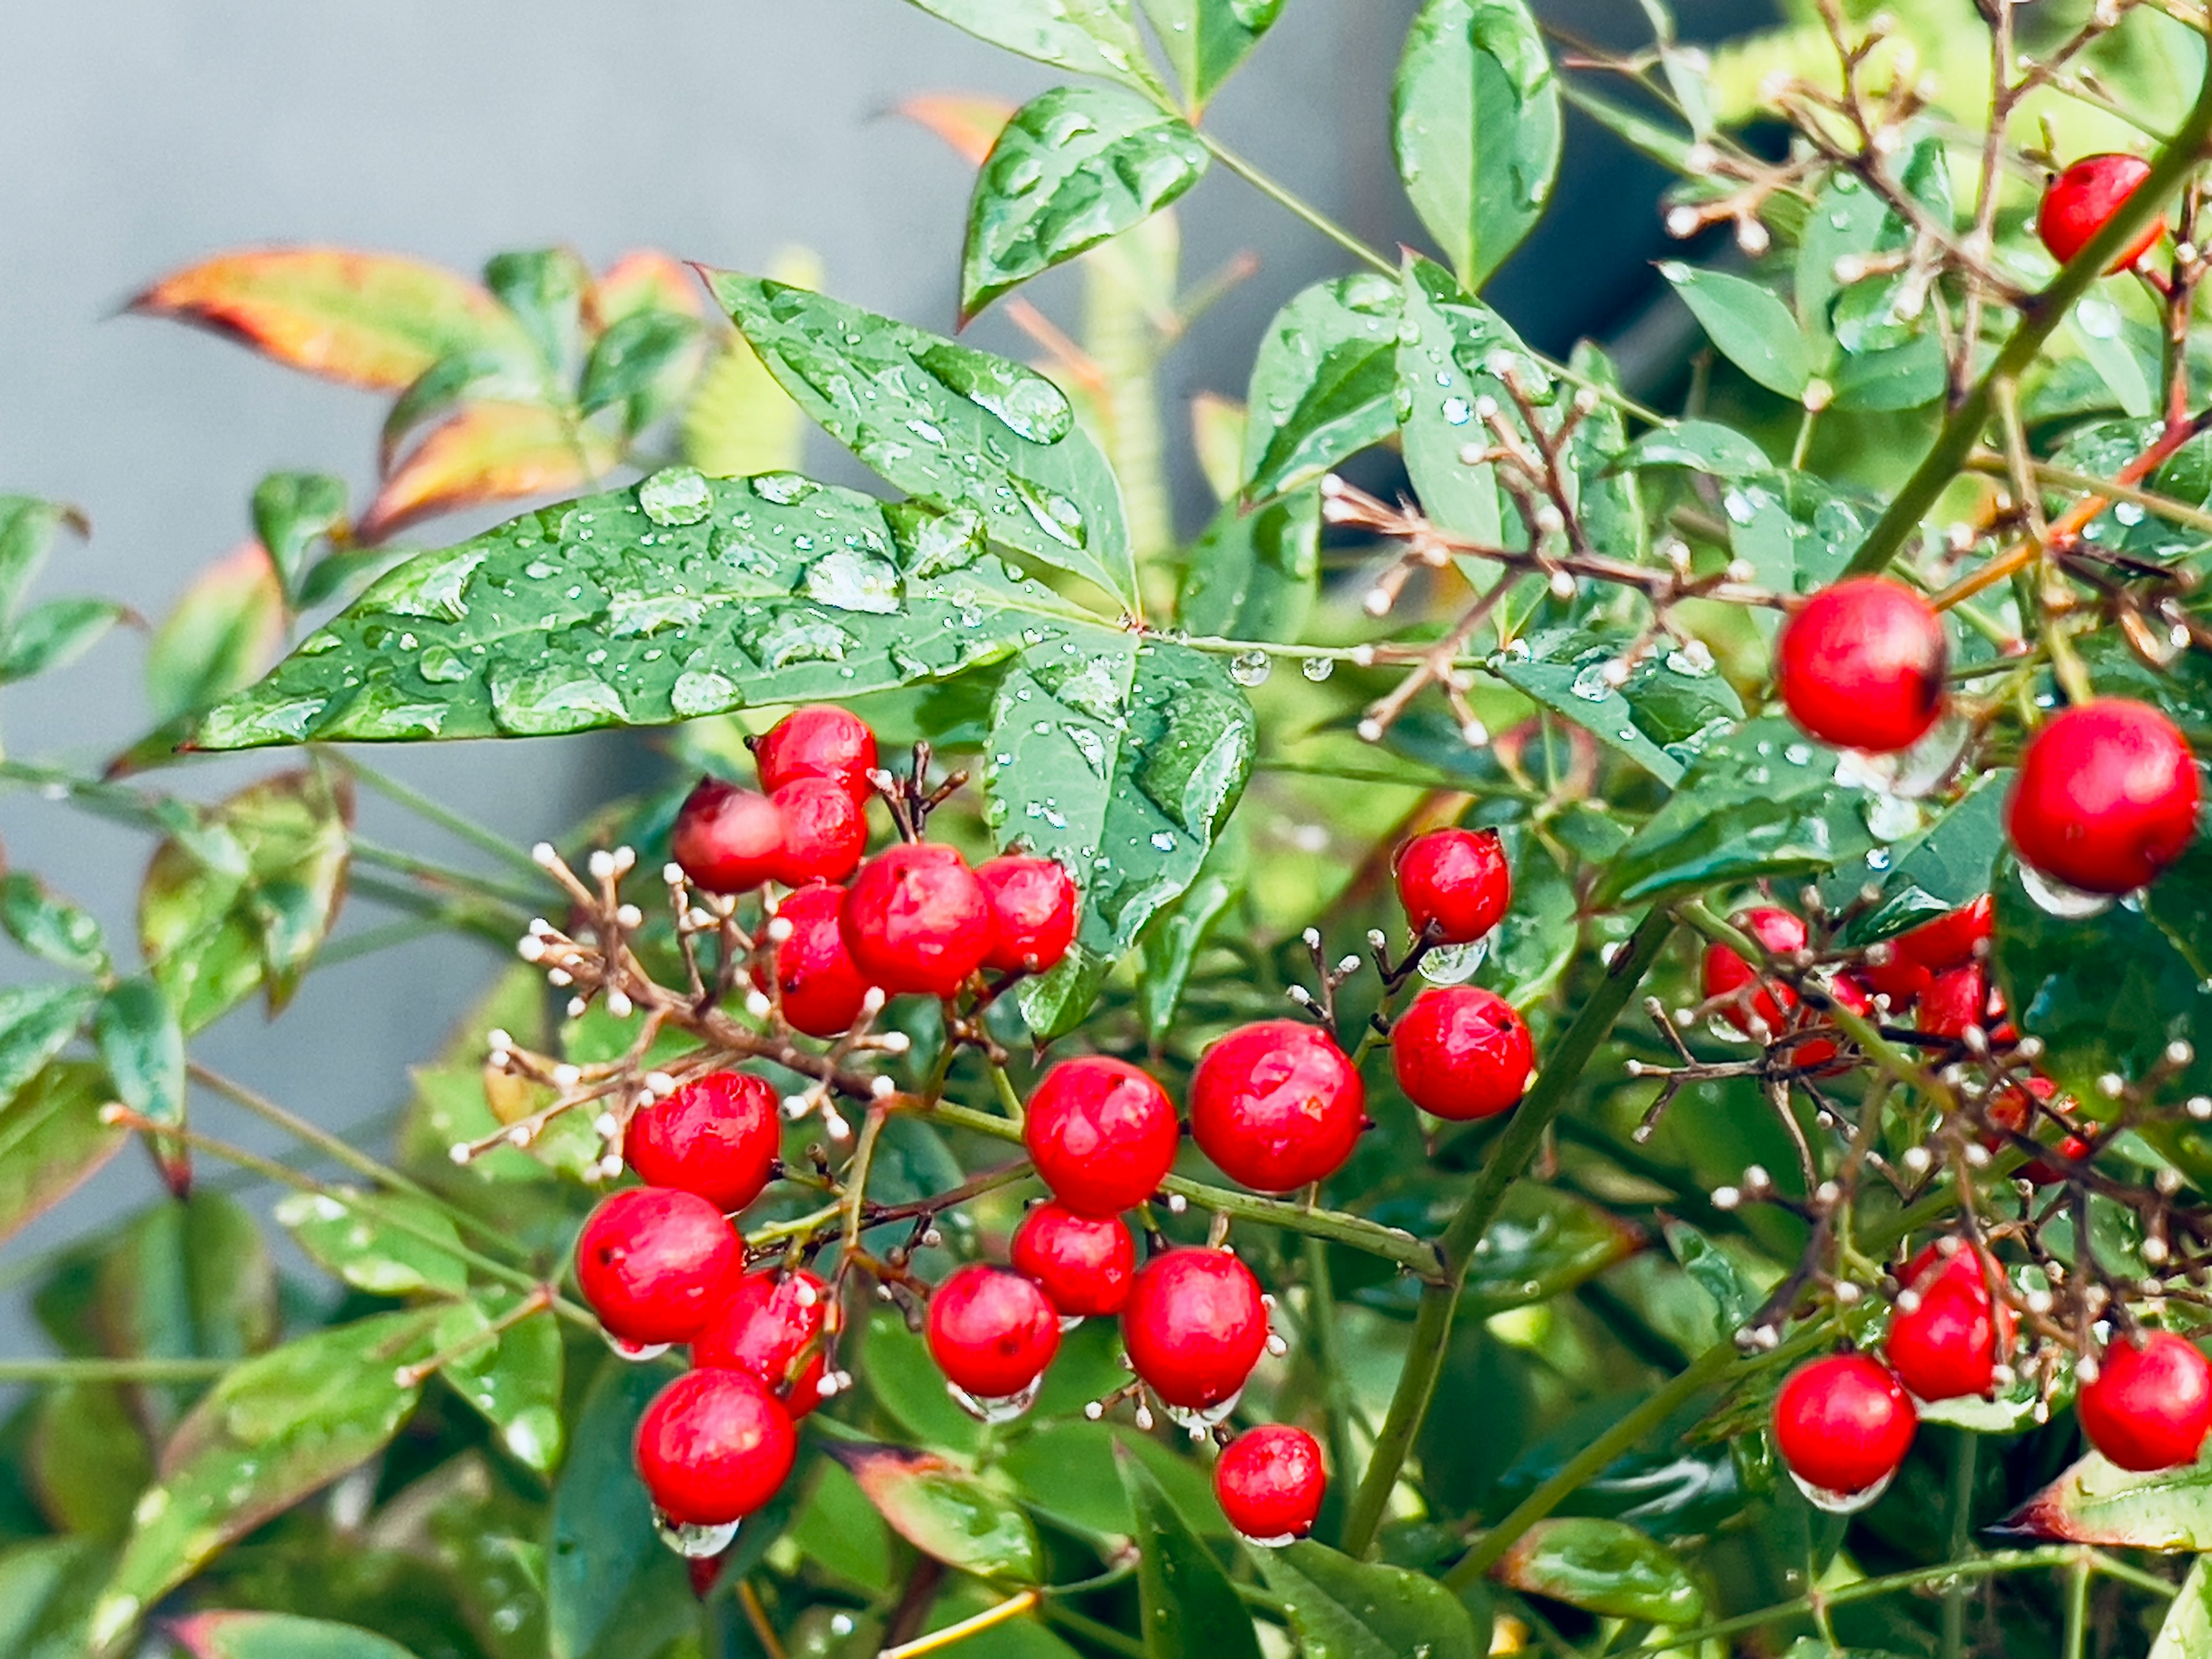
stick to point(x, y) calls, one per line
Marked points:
point(713, 1448)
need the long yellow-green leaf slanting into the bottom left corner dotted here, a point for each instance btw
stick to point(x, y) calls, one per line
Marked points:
point(267, 1437)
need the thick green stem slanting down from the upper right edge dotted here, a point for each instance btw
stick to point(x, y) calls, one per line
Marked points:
point(1963, 430)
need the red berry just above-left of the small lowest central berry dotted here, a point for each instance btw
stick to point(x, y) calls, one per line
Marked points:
point(1196, 1326)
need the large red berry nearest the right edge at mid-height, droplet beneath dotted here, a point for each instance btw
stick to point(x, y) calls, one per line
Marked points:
point(2105, 800)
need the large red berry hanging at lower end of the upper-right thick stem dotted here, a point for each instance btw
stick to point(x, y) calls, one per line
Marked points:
point(1861, 665)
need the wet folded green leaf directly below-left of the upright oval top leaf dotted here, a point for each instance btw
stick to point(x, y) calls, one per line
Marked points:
point(1324, 384)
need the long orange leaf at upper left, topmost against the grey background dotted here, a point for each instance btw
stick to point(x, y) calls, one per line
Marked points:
point(368, 320)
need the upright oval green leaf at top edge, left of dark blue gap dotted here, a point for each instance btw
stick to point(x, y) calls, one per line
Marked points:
point(1477, 127)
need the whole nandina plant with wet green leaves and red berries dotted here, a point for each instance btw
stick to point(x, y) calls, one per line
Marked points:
point(1585, 1047)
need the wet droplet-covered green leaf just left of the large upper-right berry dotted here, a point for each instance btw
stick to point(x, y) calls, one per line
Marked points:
point(1660, 718)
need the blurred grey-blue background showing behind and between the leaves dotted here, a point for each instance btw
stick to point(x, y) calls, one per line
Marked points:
point(143, 136)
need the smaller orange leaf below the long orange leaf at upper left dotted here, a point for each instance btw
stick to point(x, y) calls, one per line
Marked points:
point(490, 452)
